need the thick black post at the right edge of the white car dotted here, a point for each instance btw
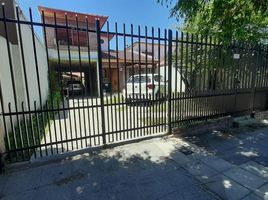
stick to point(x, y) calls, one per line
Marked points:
point(169, 78)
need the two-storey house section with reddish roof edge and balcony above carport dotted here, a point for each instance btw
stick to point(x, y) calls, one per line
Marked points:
point(69, 50)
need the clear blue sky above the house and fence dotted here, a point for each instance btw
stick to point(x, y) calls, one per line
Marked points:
point(139, 12)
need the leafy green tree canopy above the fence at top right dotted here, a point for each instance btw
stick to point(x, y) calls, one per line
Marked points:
point(242, 20)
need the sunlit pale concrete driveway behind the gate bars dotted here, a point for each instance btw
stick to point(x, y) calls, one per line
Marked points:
point(81, 126)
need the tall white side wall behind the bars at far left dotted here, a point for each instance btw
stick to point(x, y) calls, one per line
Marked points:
point(20, 89)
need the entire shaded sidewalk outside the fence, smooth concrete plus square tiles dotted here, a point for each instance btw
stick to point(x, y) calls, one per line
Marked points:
point(167, 168)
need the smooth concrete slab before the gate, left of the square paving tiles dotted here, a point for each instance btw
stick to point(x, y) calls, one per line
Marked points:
point(146, 170)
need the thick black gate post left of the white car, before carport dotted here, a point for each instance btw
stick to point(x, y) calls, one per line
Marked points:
point(100, 80)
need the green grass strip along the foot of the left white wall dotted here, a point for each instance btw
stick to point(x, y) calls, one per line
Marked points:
point(31, 129)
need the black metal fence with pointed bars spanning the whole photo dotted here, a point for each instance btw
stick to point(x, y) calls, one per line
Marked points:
point(158, 79)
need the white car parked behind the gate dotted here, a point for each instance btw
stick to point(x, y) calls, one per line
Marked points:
point(139, 88)
